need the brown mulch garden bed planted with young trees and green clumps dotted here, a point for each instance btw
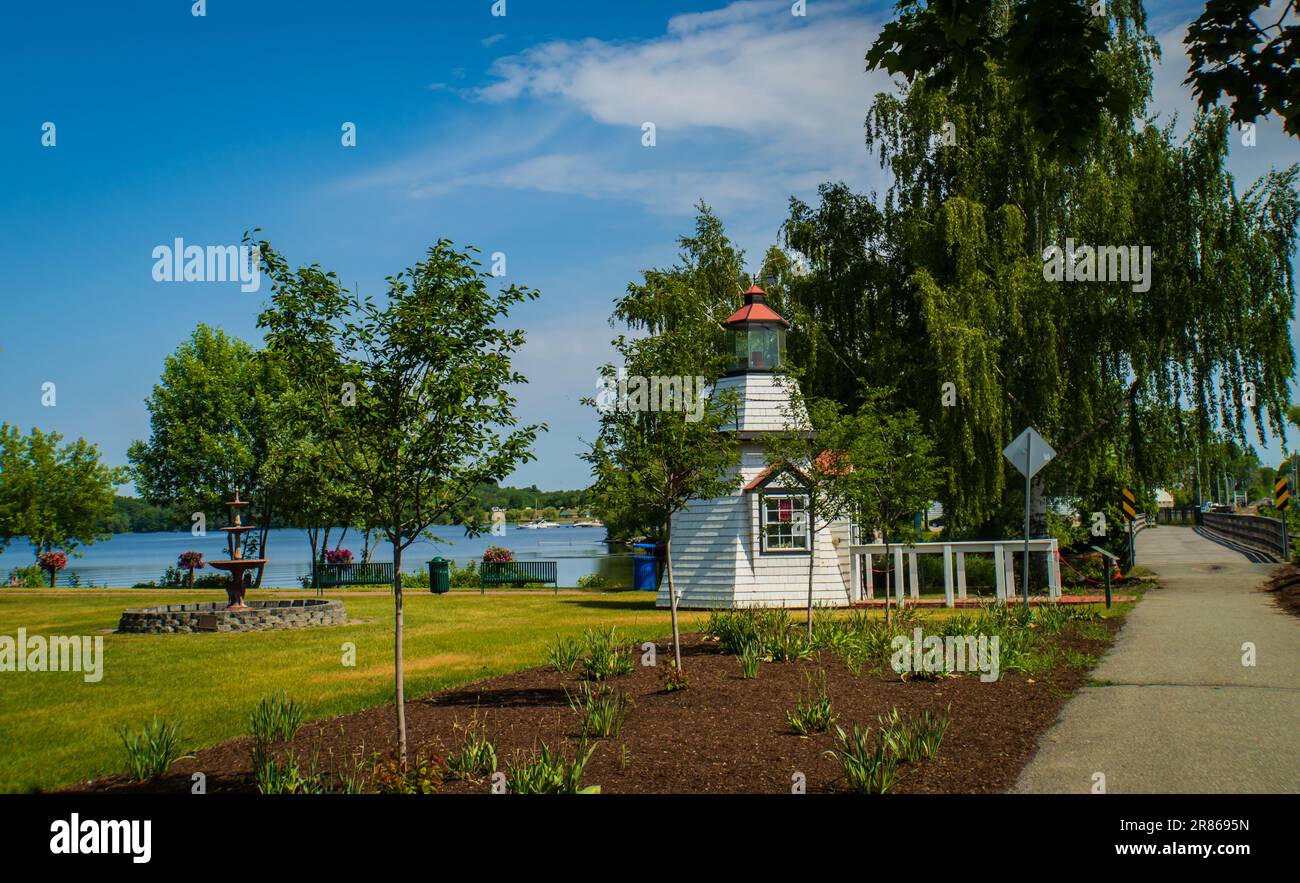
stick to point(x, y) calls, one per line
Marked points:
point(722, 735)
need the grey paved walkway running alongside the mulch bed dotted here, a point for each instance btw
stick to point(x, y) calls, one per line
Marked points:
point(1178, 712)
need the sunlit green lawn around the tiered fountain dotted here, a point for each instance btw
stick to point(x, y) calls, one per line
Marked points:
point(55, 729)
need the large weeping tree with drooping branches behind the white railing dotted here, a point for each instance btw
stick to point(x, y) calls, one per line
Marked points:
point(943, 282)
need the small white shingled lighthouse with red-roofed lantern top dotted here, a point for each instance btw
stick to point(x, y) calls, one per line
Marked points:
point(752, 548)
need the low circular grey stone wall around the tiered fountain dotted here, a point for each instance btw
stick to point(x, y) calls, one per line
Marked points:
point(261, 617)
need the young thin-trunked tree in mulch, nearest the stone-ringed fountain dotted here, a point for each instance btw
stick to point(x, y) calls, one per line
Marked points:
point(411, 393)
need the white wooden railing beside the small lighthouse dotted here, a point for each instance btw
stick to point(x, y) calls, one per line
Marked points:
point(955, 568)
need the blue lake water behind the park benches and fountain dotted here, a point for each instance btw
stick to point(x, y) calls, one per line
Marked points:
point(131, 559)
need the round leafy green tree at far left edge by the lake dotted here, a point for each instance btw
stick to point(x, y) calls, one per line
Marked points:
point(57, 496)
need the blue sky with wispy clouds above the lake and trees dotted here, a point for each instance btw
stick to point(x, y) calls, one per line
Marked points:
point(519, 135)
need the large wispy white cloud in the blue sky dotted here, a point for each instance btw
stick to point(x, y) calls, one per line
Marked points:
point(749, 102)
